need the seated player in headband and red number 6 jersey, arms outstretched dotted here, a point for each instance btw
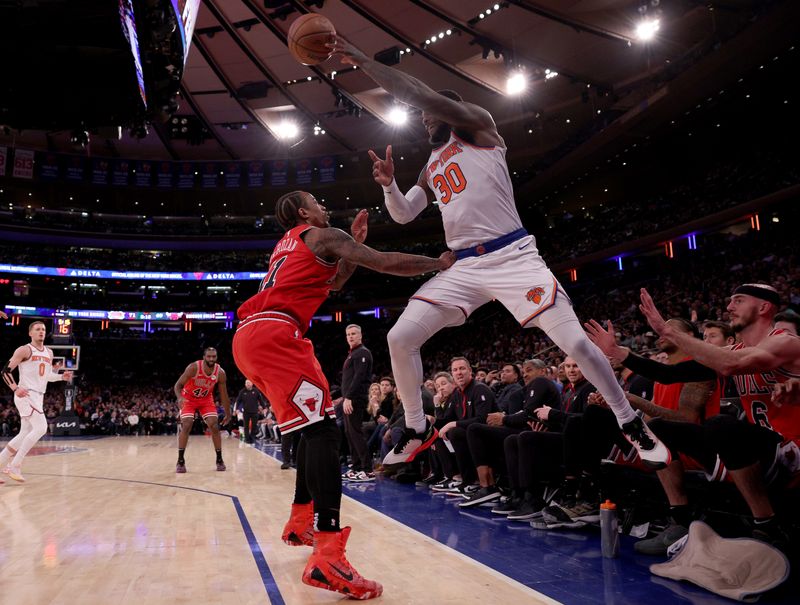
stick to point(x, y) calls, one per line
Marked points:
point(765, 357)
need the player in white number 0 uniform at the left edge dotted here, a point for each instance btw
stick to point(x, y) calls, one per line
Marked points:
point(35, 363)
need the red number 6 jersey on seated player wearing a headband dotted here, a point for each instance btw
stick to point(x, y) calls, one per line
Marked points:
point(755, 391)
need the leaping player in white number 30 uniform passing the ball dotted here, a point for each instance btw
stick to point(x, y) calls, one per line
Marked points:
point(467, 174)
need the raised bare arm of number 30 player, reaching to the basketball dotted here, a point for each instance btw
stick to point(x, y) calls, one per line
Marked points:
point(412, 91)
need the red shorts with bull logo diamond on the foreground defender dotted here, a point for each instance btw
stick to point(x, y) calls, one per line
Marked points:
point(270, 350)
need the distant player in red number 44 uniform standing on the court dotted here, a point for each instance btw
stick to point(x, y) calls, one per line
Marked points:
point(195, 392)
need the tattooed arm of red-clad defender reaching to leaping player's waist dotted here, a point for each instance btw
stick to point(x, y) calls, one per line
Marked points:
point(330, 242)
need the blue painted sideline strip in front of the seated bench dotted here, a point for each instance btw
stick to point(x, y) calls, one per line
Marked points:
point(564, 565)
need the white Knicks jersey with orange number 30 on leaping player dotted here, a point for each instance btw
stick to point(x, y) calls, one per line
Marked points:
point(474, 192)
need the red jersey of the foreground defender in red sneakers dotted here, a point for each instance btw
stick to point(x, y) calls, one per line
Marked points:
point(297, 281)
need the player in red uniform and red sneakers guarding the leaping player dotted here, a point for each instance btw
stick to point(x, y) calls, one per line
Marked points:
point(307, 263)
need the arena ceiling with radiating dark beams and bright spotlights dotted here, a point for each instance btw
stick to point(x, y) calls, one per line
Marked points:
point(241, 83)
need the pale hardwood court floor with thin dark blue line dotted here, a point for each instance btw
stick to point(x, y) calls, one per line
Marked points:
point(107, 521)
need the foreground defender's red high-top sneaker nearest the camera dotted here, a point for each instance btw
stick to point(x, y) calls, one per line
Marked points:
point(328, 568)
